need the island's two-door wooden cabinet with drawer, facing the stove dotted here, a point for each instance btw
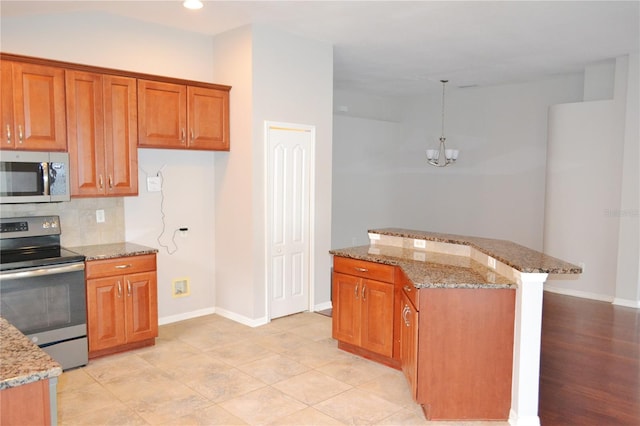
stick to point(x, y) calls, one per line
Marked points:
point(363, 307)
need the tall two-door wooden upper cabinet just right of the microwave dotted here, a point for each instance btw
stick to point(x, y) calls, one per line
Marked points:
point(101, 124)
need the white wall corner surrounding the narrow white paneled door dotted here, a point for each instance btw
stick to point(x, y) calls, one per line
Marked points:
point(282, 78)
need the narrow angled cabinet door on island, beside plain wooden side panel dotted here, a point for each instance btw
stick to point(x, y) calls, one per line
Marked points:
point(409, 343)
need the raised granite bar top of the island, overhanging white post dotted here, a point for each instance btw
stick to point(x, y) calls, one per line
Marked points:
point(518, 257)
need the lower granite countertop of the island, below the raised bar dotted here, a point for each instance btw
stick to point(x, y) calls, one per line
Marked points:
point(437, 270)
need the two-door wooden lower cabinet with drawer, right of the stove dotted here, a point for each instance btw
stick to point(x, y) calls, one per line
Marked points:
point(122, 306)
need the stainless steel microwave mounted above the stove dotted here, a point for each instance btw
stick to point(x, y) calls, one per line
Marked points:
point(34, 177)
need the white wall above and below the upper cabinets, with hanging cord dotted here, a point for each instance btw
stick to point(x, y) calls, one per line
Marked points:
point(113, 42)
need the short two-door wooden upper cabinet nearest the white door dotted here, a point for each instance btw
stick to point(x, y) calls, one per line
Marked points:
point(182, 117)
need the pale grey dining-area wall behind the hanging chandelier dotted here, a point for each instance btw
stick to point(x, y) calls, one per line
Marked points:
point(496, 189)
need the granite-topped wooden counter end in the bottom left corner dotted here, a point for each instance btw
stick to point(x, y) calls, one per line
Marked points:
point(28, 380)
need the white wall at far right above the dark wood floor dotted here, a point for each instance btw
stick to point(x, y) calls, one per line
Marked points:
point(593, 187)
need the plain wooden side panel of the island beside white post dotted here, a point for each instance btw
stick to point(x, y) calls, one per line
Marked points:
point(465, 353)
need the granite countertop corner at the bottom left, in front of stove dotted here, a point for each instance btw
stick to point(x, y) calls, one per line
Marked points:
point(21, 361)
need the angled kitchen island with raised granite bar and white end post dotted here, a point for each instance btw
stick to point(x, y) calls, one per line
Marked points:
point(460, 315)
